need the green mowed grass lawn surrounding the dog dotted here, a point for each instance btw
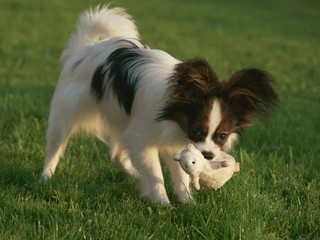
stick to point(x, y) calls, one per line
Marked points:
point(276, 195)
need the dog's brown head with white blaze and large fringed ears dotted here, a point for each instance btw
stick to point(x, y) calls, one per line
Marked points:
point(213, 113)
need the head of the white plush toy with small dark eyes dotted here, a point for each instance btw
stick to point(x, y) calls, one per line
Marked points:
point(190, 160)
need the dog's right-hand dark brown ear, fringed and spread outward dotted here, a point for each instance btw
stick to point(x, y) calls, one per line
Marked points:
point(248, 93)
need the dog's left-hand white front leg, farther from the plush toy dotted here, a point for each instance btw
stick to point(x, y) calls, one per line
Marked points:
point(147, 162)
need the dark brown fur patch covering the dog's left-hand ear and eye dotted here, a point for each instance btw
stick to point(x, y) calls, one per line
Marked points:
point(192, 88)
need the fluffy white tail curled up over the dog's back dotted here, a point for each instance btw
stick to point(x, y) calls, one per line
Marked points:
point(99, 24)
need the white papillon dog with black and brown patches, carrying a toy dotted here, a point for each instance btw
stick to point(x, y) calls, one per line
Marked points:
point(142, 102)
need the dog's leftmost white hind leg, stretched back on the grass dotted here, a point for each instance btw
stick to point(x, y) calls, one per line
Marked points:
point(70, 109)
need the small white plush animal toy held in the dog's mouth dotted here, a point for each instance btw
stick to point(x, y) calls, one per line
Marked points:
point(211, 174)
